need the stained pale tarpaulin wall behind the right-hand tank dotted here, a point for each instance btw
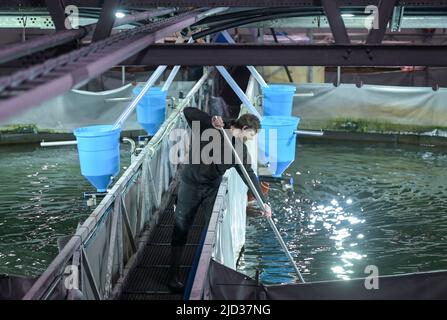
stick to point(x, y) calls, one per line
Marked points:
point(414, 106)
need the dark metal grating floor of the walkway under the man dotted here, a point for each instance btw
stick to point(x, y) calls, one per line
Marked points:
point(148, 279)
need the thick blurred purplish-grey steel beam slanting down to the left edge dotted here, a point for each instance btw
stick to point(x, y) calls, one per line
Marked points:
point(30, 87)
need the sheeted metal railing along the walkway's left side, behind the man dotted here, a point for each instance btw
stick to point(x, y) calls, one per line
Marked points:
point(96, 258)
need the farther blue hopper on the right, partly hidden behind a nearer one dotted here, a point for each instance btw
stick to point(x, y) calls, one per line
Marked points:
point(278, 100)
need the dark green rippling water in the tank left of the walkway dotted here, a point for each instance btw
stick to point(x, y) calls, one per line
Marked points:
point(41, 199)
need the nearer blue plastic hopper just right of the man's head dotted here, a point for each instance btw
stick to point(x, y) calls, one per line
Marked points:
point(277, 142)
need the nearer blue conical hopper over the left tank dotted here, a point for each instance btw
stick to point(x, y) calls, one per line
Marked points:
point(99, 154)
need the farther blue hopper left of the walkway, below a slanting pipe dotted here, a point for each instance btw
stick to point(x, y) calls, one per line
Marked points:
point(151, 109)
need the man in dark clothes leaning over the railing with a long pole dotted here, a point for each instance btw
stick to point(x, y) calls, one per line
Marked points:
point(201, 176)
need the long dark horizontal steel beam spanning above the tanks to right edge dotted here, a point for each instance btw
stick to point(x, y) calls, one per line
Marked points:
point(291, 55)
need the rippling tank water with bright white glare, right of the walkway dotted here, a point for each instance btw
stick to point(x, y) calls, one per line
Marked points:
point(354, 206)
